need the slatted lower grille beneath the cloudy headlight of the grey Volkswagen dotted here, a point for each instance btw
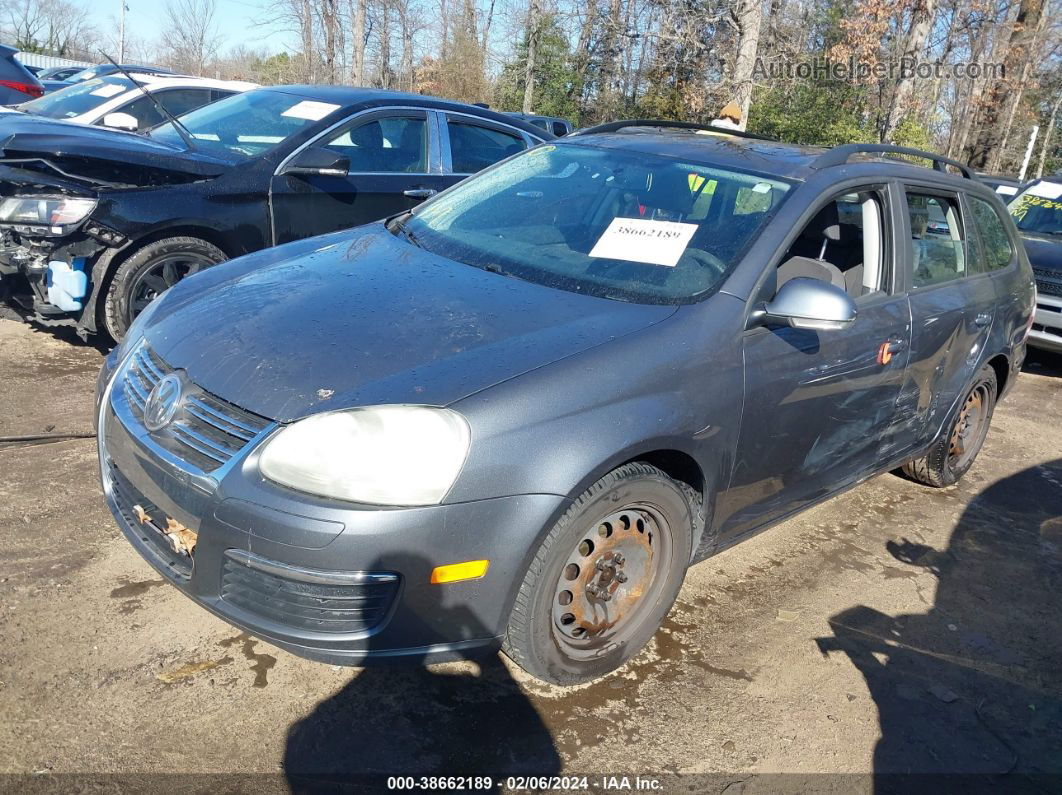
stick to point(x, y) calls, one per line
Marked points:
point(305, 604)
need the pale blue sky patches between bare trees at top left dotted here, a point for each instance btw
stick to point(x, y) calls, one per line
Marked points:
point(235, 20)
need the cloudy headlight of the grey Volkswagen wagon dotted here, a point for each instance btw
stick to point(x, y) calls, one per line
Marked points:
point(385, 455)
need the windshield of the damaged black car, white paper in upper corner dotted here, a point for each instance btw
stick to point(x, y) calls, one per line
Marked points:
point(248, 125)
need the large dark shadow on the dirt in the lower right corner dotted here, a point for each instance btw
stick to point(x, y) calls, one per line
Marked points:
point(973, 686)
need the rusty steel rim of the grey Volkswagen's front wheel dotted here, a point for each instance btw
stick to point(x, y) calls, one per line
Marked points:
point(611, 581)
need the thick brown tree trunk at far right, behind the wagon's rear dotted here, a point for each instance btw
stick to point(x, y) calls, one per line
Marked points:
point(998, 111)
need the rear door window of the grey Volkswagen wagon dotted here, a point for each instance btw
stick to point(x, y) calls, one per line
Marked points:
point(936, 243)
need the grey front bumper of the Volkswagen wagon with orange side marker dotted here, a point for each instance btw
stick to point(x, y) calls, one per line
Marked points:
point(321, 579)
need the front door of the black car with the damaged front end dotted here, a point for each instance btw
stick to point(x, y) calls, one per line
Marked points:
point(395, 166)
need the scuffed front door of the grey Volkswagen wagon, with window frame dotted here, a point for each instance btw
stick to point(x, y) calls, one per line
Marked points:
point(820, 406)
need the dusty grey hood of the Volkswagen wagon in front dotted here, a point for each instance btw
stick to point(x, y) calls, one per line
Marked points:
point(365, 318)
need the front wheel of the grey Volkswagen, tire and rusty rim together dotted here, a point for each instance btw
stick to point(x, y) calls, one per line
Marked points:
point(654, 545)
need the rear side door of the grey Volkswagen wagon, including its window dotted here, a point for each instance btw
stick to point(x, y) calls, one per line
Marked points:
point(952, 308)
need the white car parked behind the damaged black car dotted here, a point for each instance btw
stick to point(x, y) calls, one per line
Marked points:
point(116, 101)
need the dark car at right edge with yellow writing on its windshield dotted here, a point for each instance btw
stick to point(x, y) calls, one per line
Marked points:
point(1038, 214)
